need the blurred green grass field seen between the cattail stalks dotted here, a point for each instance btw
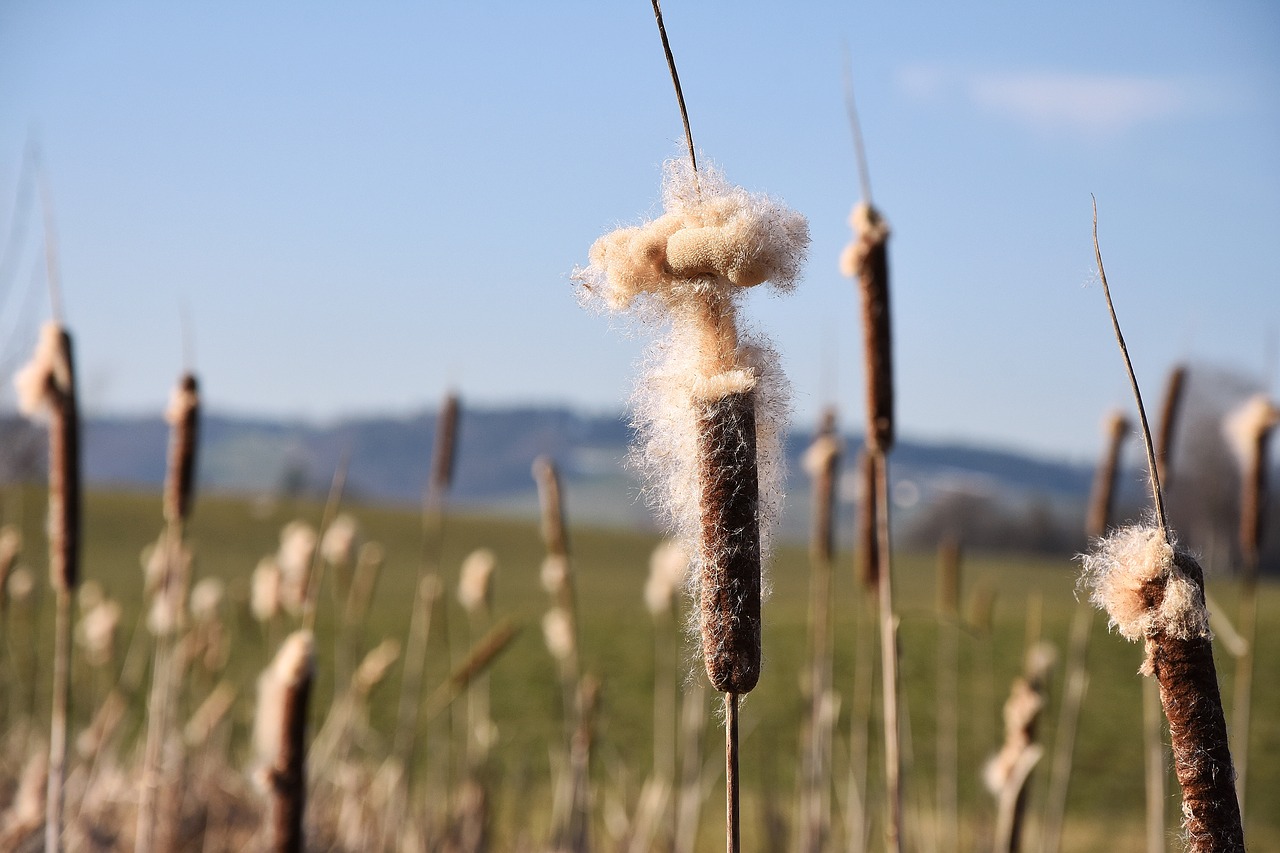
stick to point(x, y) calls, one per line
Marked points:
point(1105, 808)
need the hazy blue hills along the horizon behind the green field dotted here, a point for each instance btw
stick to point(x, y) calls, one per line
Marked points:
point(391, 459)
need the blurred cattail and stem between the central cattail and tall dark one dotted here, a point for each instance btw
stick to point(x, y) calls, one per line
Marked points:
point(821, 464)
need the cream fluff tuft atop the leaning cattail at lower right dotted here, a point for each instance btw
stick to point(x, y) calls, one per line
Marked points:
point(1126, 562)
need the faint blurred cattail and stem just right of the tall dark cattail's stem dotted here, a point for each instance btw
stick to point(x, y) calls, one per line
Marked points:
point(947, 696)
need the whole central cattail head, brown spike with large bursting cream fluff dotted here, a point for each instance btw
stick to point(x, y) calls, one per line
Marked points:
point(711, 404)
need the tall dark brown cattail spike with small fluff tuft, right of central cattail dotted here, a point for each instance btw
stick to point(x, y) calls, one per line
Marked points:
point(867, 261)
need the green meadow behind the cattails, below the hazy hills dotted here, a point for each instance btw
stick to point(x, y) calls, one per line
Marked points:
point(1028, 599)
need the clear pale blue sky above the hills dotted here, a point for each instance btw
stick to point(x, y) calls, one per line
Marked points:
point(360, 206)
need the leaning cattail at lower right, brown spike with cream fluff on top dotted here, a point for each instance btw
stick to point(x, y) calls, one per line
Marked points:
point(1154, 591)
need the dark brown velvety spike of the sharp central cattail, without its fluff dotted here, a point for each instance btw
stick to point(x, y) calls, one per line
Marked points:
point(730, 542)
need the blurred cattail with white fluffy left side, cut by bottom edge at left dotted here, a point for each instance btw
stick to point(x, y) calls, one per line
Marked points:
point(280, 733)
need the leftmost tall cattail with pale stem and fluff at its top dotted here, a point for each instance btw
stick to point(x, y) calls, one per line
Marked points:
point(47, 386)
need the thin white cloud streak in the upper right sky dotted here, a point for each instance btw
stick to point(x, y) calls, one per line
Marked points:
point(1087, 104)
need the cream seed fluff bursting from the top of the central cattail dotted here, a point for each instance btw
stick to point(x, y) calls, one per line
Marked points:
point(685, 273)
